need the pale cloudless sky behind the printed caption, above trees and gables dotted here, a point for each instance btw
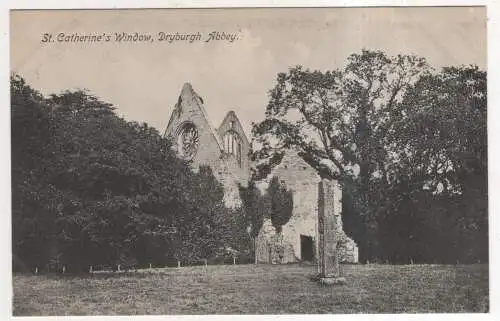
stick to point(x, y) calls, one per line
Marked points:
point(144, 79)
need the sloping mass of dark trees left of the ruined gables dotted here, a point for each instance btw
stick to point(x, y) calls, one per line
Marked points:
point(89, 188)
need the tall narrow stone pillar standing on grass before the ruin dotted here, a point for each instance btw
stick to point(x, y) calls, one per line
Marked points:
point(329, 231)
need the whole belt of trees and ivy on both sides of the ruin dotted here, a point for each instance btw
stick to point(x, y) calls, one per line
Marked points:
point(407, 143)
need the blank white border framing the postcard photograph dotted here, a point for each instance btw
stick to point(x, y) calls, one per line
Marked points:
point(493, 133)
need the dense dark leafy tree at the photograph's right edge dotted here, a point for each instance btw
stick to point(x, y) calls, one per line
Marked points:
point(442, 147)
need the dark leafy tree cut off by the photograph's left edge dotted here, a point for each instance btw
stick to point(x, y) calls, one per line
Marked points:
point(32, 220)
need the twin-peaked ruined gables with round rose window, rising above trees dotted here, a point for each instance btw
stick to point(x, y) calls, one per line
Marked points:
point(189, 126)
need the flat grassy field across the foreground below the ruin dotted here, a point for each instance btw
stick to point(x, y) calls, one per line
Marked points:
point(262, 289)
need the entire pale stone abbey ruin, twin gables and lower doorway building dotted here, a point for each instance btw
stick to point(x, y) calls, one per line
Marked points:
point(225, 149)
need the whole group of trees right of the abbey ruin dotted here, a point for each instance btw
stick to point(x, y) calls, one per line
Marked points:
point(407, 143)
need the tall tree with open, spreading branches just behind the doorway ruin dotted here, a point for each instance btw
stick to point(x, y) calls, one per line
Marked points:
point(339, 123)
